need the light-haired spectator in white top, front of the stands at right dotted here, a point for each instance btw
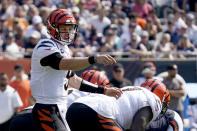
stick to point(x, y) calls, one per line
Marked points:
point(165, 48)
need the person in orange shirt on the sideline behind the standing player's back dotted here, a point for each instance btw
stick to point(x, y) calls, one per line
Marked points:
point(22, 86)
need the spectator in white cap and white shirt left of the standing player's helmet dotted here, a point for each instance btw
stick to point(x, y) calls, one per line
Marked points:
point(37, 25)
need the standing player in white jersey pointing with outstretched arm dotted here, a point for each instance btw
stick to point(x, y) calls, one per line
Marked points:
point(50, 75)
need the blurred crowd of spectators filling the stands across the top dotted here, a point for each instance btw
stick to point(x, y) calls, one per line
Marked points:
point(139, 28)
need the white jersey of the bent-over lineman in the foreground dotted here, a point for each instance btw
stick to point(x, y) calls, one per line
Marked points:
point(123, 109)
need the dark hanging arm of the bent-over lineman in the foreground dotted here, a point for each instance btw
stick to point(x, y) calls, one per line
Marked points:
point(141, 119)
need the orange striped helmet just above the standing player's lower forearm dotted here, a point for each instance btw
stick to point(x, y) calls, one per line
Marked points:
point(96, 77)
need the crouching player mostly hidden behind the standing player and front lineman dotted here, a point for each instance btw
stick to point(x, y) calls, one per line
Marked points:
point(23, 120)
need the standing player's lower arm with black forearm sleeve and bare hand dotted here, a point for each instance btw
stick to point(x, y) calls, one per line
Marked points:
point(82, 85)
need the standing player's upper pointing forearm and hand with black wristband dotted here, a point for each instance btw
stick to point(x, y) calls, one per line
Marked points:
point(78, 63)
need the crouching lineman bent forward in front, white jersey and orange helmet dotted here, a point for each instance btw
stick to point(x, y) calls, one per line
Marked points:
point(103, 113)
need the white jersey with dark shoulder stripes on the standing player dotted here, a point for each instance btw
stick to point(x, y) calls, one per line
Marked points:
point(47, 84)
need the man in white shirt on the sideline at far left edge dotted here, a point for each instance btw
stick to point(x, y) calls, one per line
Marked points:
point(9, 103)
